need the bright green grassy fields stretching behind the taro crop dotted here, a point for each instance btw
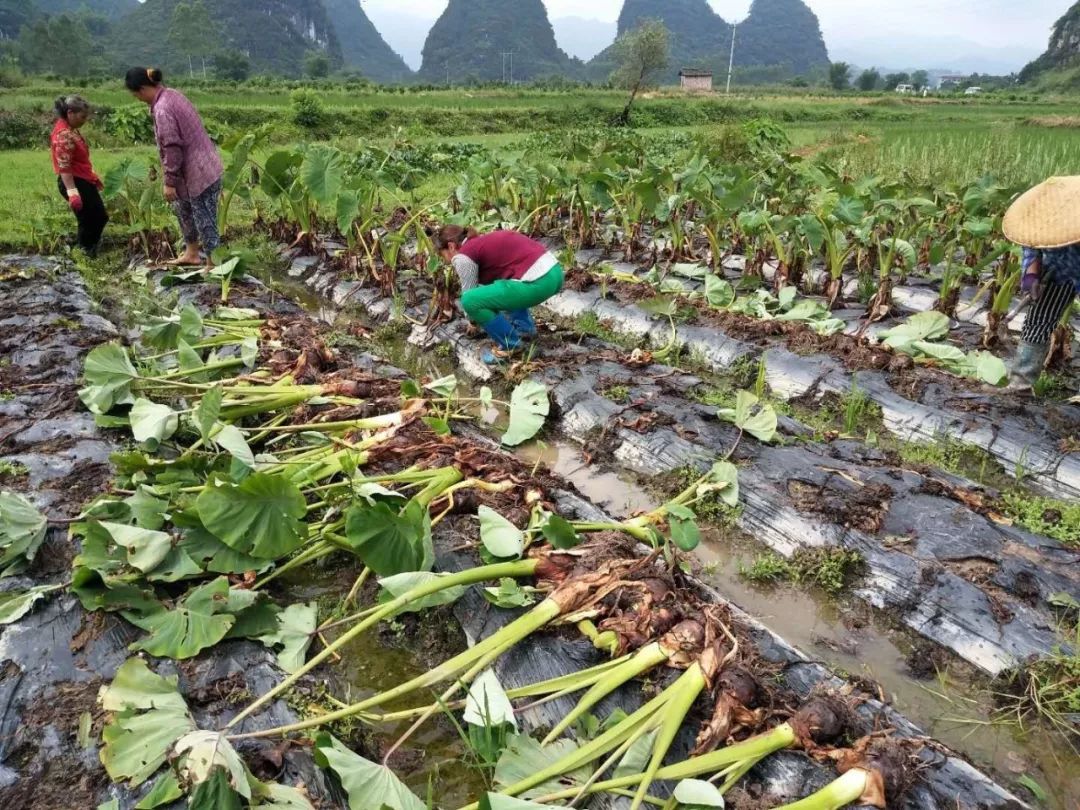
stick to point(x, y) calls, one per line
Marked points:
point(935, 140)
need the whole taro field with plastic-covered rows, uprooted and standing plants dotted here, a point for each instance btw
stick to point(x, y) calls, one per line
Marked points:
point(753, 522)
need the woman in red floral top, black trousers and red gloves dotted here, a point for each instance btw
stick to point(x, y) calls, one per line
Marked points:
point(76, 179)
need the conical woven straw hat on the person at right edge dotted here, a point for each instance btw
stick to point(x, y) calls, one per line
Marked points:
point(1048, 217)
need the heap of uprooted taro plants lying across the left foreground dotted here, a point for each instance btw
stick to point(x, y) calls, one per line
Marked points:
point(242, 472)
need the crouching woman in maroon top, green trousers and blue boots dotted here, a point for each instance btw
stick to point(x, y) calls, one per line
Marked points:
point(504, 275)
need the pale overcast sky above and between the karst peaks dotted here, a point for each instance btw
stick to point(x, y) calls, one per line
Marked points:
point(1021, 26)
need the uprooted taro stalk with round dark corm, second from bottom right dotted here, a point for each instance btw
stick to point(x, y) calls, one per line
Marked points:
point(820, 722)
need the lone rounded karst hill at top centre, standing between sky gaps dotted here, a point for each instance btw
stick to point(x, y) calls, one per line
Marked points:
point(470, 38)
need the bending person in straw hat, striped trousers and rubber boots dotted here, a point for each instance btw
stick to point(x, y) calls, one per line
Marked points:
point(1046, 222)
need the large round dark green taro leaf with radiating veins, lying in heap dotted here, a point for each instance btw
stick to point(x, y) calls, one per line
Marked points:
point(261, 517)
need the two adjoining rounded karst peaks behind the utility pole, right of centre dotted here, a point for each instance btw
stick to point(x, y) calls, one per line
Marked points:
point(776, 33)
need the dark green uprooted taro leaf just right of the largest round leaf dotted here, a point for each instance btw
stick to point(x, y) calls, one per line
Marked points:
point(389, 542)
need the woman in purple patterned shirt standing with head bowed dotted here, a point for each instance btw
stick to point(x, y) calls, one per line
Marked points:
point(190, 160)
